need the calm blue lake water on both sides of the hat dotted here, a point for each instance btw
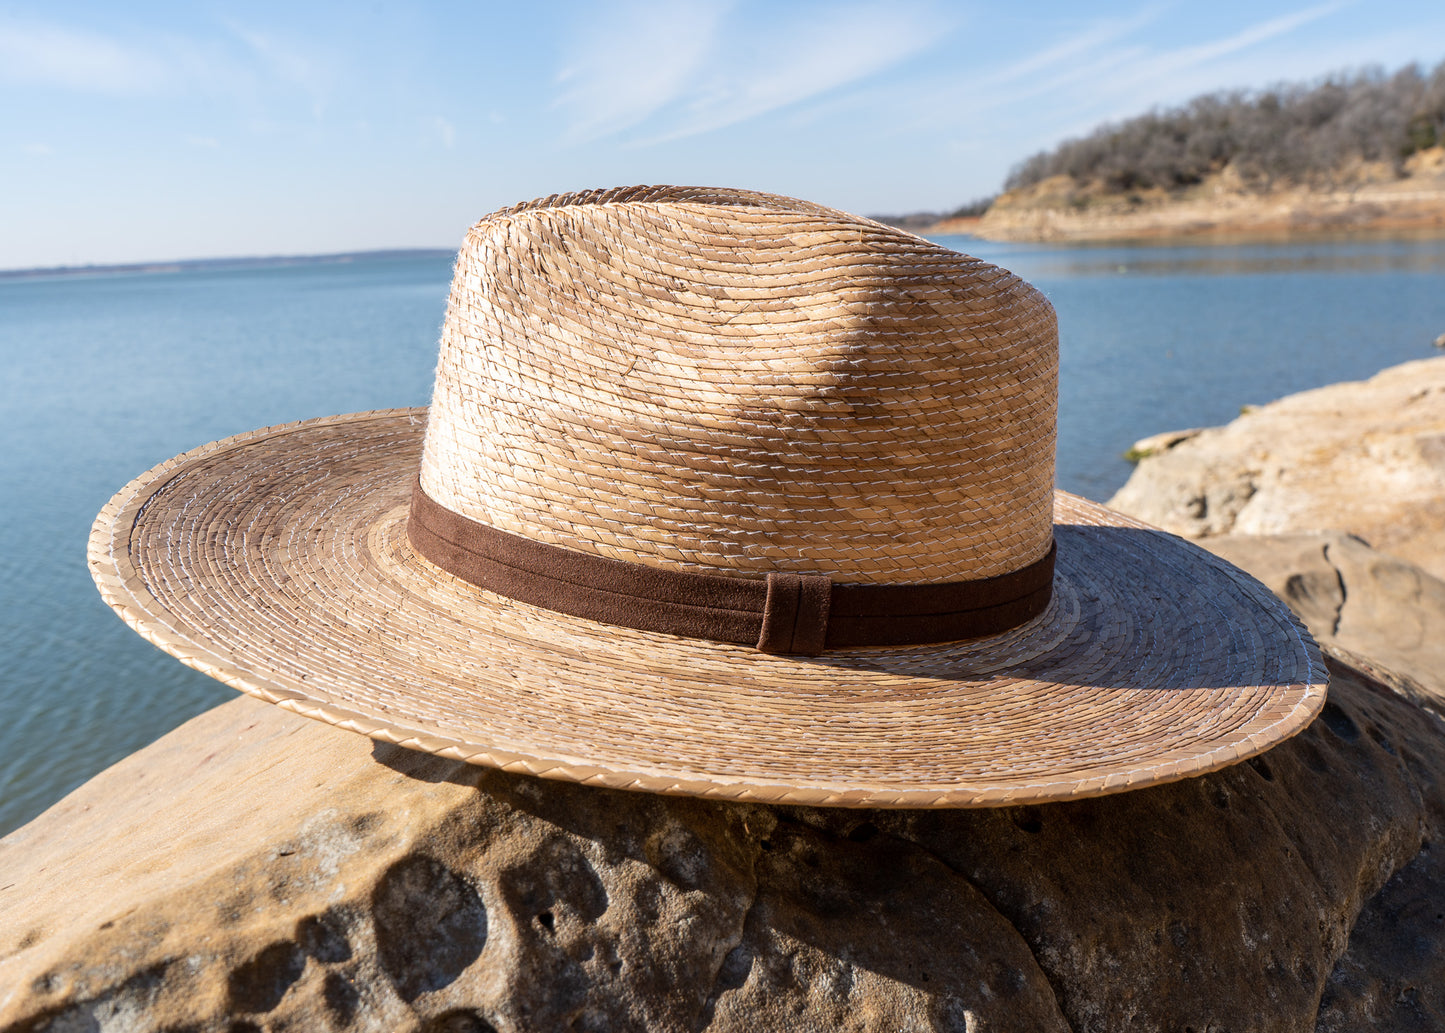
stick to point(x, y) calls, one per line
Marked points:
point(106, 376)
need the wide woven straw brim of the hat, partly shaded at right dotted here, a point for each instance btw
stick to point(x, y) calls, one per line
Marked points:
point(278, 563)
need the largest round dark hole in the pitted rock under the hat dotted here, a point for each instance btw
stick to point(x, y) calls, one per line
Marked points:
point(430, 925)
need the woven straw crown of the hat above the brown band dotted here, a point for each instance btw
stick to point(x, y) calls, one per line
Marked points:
point(742, 384)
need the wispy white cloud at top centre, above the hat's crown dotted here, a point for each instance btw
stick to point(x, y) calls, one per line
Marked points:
point(683, 70)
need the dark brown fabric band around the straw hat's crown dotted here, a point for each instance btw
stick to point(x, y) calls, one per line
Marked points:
point(788, 613)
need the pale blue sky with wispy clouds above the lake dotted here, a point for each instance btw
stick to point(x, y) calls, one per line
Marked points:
point(164, 131)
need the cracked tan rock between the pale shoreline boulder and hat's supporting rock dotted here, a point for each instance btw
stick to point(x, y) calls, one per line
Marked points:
point(1385, 613)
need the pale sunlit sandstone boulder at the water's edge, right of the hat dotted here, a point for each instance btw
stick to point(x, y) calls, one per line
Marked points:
point(1366, 459)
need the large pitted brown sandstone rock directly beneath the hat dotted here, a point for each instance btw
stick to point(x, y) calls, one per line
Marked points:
point(255, 870)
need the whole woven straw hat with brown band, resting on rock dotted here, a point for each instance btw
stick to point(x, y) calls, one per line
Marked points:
point(725, 495)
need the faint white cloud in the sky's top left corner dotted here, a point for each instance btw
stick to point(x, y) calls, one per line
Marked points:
point(50, 56)
